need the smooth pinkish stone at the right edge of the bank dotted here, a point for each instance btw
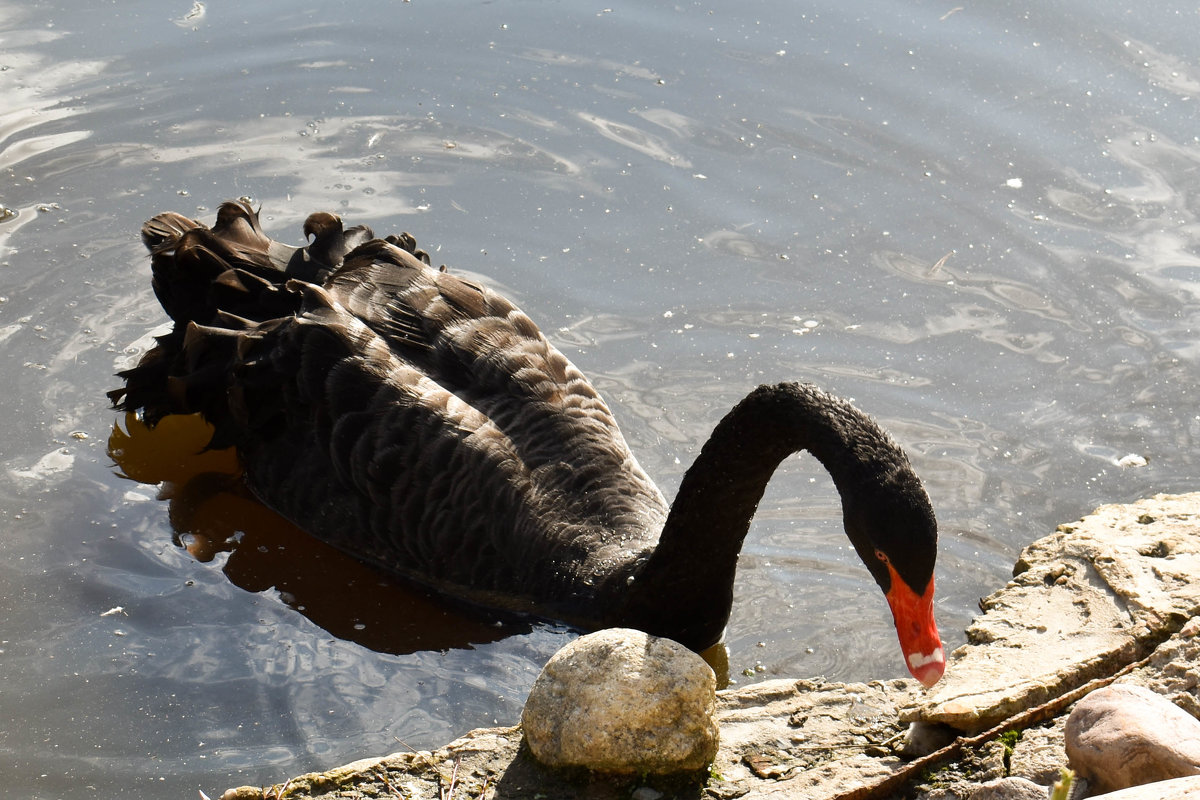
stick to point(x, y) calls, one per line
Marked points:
point(1123, 736)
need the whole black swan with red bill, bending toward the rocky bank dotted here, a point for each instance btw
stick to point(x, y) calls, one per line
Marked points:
point(423, 424)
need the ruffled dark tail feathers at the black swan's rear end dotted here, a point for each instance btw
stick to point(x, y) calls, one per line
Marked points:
point(224, 287)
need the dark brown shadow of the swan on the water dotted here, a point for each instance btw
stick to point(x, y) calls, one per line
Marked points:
point(213, 513)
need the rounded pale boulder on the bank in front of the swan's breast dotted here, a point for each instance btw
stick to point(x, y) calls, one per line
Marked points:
point(620, 701)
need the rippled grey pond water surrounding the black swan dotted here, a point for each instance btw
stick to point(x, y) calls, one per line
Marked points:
point(979, 220)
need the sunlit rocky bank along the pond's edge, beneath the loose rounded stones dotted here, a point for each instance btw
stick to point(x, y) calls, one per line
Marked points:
point(1113, 598)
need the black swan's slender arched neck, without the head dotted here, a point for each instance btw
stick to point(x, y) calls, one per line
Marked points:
point(689, 579)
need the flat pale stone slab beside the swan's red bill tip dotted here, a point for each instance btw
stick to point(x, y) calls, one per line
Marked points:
point(1094, 597)
